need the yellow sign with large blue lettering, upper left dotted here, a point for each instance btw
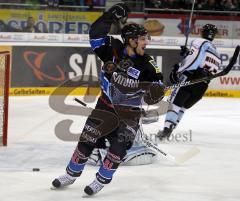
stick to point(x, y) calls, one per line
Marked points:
point(51, 21)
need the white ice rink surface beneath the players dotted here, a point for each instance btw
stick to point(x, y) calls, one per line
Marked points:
point(213, 175)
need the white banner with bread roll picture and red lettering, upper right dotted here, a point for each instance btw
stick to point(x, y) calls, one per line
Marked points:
point(177, 26)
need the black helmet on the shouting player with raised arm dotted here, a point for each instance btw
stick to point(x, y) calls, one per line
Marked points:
point(133, 31)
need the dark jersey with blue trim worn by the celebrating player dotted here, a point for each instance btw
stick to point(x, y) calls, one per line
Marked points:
point(135, 72)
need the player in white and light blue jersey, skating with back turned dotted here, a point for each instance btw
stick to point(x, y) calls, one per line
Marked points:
point(202, 59)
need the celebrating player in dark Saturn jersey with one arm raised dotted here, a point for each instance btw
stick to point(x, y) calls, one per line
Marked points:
point(128, 76)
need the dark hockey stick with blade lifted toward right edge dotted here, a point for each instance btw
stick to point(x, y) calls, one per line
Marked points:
point(221, 73)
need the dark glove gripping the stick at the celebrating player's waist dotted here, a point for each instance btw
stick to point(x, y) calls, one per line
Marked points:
point(155, 93)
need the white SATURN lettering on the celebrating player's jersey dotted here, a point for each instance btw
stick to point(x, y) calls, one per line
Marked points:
point(124, 81)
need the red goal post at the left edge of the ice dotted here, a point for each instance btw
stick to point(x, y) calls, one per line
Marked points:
point(4, 94)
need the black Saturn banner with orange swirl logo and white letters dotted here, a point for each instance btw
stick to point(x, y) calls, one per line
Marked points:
point(53, 66)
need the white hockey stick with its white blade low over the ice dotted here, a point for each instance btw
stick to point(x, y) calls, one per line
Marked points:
point(178, 160)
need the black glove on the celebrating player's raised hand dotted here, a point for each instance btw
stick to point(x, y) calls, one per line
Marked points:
point(119, 11)
